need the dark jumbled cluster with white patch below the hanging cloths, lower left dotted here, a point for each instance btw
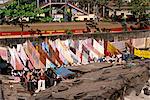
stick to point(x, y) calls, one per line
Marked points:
point(36, 80)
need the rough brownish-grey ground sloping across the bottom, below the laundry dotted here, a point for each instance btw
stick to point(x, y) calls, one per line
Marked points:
point(97, 81)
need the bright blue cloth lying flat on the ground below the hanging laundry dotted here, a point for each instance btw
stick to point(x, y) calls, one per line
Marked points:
point(64, 72)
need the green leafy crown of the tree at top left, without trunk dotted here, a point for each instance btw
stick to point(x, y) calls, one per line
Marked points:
point(23, 9)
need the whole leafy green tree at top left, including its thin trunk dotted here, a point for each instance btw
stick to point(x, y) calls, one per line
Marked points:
point(16, 11)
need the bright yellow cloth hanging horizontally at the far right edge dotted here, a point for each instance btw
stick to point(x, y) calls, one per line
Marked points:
point(142, 53)
